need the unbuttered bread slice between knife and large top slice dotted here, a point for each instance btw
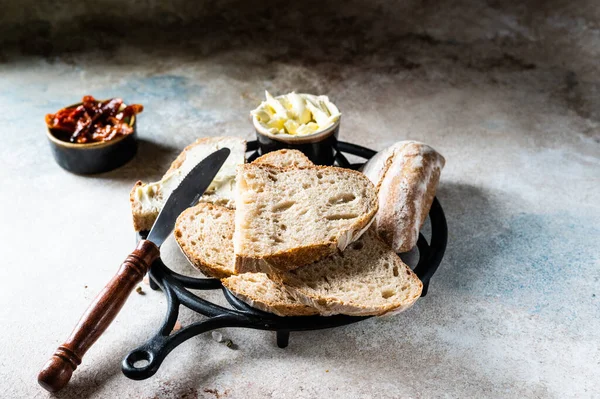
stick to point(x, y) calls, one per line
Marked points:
point(205, 235)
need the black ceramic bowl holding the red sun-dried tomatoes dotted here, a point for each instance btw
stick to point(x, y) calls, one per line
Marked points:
point(90, 158)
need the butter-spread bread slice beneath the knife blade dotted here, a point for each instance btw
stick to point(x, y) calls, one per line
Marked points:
point(148, 199)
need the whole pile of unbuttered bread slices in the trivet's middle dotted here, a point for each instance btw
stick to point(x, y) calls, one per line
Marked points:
point(350, 274)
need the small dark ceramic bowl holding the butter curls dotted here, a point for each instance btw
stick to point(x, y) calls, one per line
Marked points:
point(319, 147)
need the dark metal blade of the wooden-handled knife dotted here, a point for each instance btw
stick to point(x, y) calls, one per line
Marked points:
point(186, 194)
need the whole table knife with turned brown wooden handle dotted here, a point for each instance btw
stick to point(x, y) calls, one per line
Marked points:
point(96, 319)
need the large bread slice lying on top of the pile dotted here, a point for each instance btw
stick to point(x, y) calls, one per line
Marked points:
point(287, 218)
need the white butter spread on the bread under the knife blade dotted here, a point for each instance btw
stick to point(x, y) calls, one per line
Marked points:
point(153, 196)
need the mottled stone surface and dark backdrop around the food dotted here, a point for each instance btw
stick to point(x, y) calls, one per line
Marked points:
point(507, 91)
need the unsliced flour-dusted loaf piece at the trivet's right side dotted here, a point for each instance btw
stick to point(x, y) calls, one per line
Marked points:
point(406, 176)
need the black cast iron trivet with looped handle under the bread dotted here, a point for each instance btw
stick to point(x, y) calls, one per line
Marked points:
point(175, 286)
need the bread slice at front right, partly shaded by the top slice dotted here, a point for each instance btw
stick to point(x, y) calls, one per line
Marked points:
point(368, 278)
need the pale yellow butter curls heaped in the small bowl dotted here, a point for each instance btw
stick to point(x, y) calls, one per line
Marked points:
point(296, 114)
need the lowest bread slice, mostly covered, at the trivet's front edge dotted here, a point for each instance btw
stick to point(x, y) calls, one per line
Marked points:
point(259, 291)
